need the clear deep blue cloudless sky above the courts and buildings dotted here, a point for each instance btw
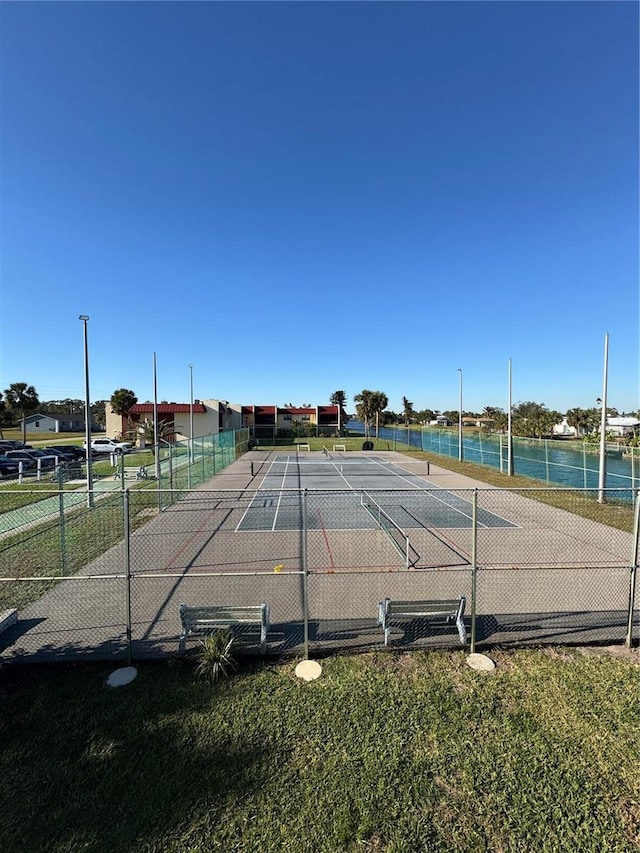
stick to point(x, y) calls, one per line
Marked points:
point(298, 198)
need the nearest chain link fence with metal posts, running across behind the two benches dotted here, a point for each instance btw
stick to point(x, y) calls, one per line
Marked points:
point(104, 578)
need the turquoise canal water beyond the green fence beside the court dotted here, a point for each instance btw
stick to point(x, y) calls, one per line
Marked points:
point(574, 464)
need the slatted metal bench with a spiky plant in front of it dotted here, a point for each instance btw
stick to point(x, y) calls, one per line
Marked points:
point(244, 621)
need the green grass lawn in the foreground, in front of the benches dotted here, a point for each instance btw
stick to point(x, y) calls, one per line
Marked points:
point(385, 752)
